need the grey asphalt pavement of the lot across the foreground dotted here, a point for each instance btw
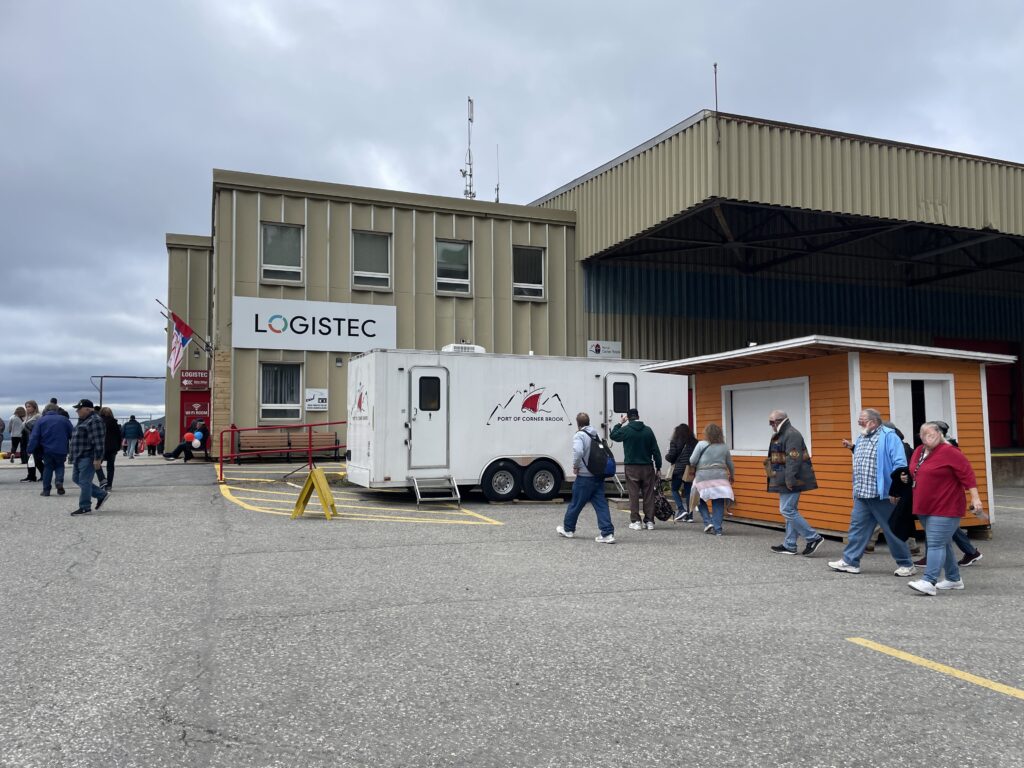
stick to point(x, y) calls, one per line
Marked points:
point(177, 628)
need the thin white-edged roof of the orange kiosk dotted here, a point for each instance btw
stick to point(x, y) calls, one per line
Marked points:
point(814, 347)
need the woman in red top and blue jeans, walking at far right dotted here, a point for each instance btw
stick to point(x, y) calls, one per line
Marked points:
point(941, 474)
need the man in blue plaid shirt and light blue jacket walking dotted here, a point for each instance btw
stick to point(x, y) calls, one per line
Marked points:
point(877, 453)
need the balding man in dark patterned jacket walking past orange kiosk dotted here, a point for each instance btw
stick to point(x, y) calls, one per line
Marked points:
point(790, 474)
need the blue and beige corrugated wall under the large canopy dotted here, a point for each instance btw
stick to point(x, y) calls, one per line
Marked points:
point(672, 314)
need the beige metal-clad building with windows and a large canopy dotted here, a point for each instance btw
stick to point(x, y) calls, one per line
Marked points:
point(721, 232)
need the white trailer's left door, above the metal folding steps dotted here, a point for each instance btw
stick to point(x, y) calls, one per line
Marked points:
point(429, 423)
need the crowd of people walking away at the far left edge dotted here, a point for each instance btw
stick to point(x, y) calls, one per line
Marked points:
point(45, 442)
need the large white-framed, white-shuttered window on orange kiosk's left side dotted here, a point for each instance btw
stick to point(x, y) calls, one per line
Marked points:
point(746, 409)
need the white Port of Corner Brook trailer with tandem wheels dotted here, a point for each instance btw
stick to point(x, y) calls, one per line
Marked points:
point(504, 422)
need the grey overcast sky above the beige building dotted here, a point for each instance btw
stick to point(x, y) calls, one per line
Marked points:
point(114, 114)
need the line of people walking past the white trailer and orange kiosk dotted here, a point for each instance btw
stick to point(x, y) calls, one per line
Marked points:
point(893, 488)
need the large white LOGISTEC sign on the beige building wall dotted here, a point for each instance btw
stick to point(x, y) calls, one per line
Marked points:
point(315, 326)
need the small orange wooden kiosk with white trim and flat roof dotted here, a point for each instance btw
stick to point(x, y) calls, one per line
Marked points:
point(824, 382)
